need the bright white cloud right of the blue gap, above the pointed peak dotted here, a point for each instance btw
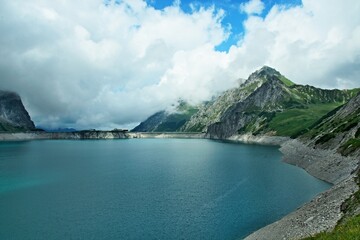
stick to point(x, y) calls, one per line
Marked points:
point(311, 44)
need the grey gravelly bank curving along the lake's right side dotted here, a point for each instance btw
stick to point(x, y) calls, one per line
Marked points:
point(324, 211)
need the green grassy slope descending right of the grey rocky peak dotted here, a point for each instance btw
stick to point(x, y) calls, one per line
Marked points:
point(303, 107)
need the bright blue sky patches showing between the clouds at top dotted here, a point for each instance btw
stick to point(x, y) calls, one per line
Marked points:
point(233, 15)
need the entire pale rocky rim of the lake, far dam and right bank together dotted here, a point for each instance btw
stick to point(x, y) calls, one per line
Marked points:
point(320, 214)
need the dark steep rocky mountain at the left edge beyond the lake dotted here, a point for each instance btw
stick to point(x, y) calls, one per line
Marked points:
point(13, 115)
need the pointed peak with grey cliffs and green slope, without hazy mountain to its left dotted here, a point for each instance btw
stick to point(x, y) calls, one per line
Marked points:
point(277, 107)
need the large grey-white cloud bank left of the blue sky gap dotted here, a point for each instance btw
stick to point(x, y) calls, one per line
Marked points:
point(84, 64)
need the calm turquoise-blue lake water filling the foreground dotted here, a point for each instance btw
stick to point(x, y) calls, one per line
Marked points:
point(145, 189)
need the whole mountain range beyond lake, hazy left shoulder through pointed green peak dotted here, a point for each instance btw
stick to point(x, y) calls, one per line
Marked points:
point(267, 103)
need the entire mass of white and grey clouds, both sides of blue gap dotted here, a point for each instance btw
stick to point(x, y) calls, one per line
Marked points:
point(85, 64)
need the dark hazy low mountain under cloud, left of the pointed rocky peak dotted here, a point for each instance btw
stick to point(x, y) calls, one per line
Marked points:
point(167, 121)
